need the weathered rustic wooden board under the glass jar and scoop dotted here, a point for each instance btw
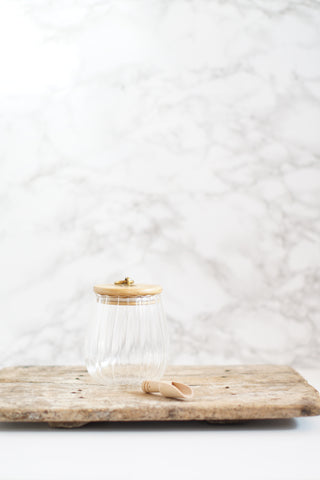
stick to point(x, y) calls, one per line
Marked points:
point(67, 396)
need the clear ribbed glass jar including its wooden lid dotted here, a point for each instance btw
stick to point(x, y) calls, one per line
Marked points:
point(127, 341)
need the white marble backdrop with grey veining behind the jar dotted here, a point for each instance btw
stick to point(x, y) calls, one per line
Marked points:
point(174, 141)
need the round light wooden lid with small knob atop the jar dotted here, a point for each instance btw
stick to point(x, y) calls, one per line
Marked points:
point(127, 288)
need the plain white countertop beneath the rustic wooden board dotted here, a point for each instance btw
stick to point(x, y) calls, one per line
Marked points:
point(270, 450)
